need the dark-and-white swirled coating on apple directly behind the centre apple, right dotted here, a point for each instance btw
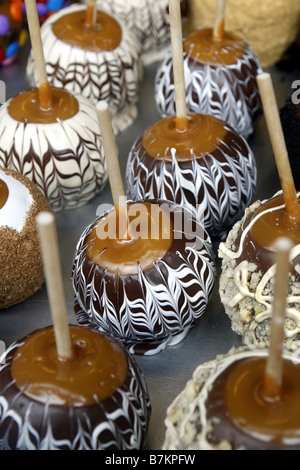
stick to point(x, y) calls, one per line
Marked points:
point(217, 186)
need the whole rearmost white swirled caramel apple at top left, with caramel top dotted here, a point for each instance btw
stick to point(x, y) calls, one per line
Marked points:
point(100, 61)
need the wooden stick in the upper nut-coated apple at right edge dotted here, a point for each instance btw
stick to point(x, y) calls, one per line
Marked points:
point(278, 143)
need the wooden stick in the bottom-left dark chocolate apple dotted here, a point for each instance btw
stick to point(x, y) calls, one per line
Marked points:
point(50, 254)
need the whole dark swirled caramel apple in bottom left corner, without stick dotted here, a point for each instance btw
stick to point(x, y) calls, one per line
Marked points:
point(96, 400)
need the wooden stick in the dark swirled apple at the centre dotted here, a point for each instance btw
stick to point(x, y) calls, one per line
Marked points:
point(113, 166)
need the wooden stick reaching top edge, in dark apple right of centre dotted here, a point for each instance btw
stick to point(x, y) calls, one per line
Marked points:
point(178, 67)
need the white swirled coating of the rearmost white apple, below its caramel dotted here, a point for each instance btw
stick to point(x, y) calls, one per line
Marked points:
point(113, 76)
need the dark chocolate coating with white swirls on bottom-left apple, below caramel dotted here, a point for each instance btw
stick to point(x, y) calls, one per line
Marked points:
point(119, 422)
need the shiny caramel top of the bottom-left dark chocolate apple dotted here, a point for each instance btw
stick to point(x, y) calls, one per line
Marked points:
point(98, 367)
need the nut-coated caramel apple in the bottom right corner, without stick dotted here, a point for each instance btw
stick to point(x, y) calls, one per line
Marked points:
point(223, 407)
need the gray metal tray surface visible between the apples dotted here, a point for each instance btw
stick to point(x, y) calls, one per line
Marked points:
point(166, 373)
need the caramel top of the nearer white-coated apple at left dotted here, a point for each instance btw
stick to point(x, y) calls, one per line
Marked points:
point(25, 107)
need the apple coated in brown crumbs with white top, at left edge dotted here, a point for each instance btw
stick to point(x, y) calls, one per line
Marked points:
point(20, 260)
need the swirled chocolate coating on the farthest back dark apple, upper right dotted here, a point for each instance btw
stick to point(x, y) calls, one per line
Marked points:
point(229, 93)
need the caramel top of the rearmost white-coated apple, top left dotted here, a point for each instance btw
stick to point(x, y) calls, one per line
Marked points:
point(73, 29)
